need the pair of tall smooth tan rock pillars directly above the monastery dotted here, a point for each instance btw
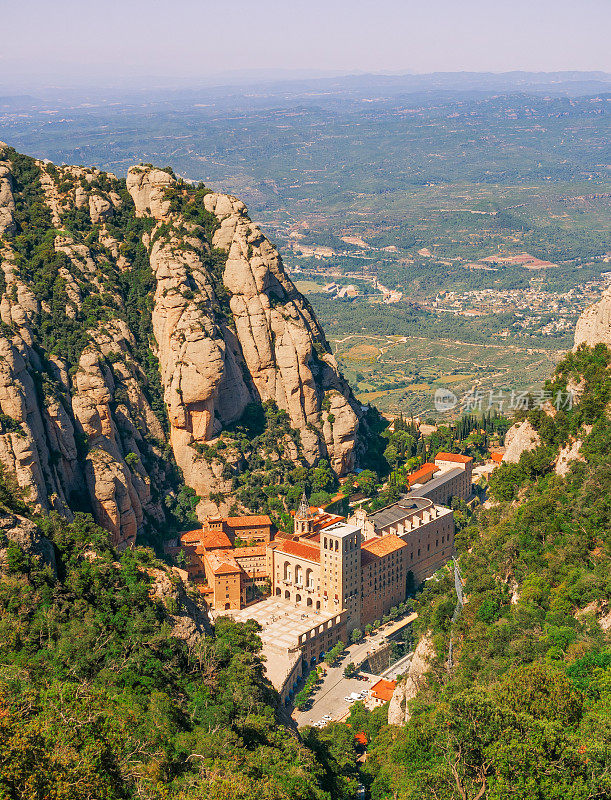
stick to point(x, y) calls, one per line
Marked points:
point(266, 346)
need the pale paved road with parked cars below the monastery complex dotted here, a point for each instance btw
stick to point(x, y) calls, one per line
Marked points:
point(329, 697)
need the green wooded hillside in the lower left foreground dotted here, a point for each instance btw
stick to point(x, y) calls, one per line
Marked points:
point(112, 687)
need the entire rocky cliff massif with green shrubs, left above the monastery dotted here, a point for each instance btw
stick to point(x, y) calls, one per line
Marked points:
point(140, 320)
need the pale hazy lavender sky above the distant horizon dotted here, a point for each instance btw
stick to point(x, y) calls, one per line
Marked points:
point(79, 39)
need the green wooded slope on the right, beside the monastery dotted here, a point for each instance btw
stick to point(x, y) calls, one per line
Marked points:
point(523, 709)
